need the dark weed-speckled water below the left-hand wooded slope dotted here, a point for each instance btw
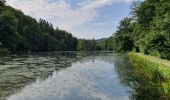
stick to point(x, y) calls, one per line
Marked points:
point(17, 71)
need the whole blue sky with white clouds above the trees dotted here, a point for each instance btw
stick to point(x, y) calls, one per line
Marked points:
point(83, 18)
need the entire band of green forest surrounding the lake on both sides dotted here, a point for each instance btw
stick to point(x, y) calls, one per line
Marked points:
point(145, 30)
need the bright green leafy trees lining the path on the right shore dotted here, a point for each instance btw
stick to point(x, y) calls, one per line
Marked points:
point(147, 30)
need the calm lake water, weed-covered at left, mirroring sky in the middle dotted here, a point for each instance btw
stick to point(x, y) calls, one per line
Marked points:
point(64, 76)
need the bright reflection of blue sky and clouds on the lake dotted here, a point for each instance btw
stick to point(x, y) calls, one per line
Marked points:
point(92, 79)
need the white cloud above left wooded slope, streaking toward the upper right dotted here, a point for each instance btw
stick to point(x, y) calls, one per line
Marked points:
point(60, 13)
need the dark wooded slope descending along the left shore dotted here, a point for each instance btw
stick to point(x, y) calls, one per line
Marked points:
point(21, 33)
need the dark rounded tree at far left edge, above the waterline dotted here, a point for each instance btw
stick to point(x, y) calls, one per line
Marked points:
point(8, 28)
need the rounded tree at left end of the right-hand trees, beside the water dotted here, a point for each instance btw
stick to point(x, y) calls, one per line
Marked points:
point(123, 36)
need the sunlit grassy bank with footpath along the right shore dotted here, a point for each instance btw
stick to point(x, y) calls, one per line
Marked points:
point(152, 76)
